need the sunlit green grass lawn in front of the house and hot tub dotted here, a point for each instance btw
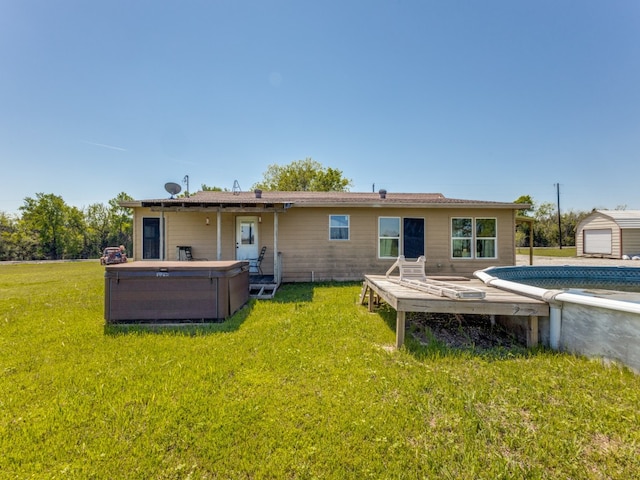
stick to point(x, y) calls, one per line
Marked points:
point(303, 386)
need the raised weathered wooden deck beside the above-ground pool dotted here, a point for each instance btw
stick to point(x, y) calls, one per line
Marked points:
point(496, 302)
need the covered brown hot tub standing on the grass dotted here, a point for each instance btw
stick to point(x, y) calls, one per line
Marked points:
point(149, 292)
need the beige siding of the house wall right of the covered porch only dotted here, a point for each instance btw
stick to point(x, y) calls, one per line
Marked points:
point(307, 252)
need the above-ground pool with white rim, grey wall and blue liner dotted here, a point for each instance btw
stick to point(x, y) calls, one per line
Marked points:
point(590, 326)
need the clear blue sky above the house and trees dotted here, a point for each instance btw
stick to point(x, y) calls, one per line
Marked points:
point(482, 100)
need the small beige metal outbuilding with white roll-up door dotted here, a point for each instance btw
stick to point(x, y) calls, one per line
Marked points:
point(609, 233)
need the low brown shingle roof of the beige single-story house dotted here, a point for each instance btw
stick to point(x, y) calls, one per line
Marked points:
point(209, 199)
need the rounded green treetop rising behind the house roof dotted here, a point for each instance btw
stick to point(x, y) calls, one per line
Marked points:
point(303, 175)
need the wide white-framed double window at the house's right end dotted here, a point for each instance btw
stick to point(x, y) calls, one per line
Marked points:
point(473, 237)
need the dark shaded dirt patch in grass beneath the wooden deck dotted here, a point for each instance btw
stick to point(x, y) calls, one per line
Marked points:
point(460, 331)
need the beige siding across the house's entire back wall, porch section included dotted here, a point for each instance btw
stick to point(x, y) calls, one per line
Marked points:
point(308, 254)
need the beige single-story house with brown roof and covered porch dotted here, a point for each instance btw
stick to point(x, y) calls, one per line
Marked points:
point(318, 236)
